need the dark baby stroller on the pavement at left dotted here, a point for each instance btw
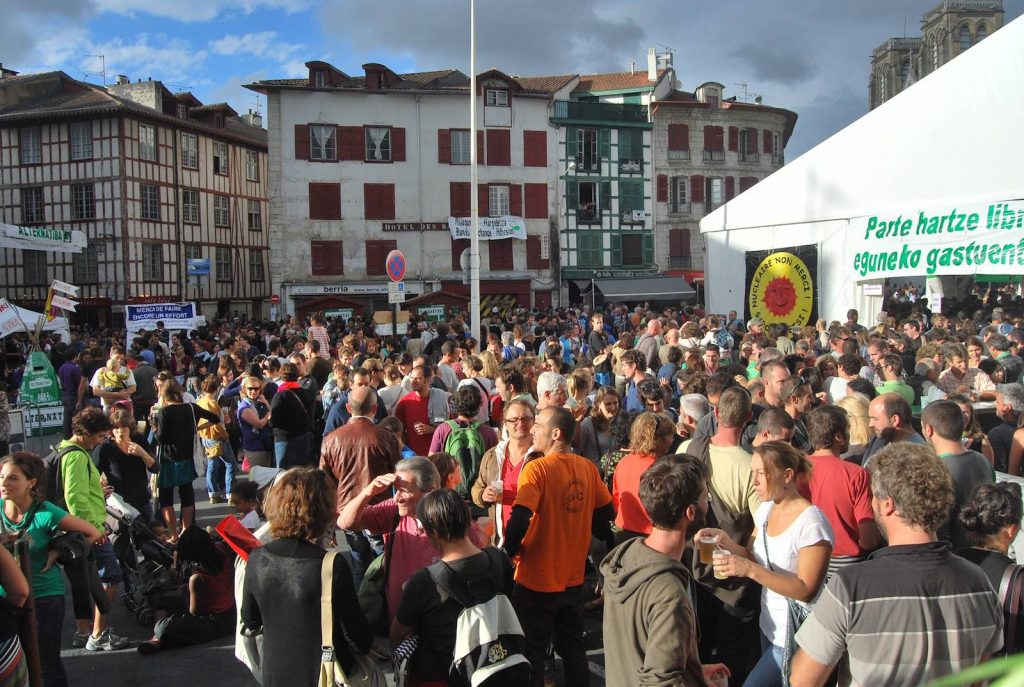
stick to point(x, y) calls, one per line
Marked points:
point(146, 562)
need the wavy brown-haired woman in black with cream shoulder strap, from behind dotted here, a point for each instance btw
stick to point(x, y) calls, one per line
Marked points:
point(282, 590)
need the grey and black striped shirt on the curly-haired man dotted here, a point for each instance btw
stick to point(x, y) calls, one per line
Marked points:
point(909, 615)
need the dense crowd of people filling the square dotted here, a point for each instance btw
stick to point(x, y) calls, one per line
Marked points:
point(726, 493)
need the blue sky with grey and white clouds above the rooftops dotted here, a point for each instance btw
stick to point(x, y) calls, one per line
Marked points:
point(808, 56)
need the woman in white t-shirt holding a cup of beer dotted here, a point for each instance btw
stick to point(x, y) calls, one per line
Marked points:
point(788, 554)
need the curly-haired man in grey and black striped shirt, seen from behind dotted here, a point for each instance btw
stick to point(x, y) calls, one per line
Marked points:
point(914, 612)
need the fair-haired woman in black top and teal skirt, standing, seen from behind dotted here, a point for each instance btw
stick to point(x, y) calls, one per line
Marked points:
point(177, 427)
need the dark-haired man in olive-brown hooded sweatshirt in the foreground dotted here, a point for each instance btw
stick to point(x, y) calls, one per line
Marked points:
point(648, 610)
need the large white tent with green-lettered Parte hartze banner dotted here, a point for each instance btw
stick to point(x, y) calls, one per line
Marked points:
point(940, 166)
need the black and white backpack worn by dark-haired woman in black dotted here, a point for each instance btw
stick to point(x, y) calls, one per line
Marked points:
point(490, 646)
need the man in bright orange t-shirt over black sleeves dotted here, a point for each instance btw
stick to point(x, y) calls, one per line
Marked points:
point(562, 501)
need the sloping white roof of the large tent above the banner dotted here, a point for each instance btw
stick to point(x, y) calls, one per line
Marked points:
point(952, 138)
